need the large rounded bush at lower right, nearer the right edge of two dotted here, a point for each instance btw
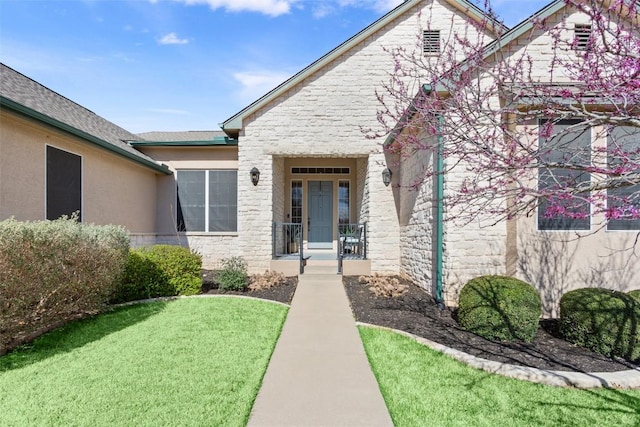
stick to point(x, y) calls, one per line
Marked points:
point(604, 321)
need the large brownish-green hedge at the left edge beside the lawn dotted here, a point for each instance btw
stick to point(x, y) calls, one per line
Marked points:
point(55, 271)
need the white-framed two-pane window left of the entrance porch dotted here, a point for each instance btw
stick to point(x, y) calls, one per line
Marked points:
point(207, 200)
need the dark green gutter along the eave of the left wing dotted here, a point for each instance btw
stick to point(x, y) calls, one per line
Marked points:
point(26, 111)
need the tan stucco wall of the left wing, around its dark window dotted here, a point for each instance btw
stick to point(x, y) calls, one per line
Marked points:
point(115, 190)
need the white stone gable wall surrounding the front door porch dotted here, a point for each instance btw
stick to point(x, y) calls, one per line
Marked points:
point(323, 117)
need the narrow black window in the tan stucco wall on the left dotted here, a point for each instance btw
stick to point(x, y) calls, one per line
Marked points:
point(64, 184)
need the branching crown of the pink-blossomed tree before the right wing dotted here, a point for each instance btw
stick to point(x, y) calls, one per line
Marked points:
point(546, 116)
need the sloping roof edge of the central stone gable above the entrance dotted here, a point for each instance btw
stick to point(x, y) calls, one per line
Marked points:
point(233, 124)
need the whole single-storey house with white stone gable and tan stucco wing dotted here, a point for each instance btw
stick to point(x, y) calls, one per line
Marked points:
point(296, 162)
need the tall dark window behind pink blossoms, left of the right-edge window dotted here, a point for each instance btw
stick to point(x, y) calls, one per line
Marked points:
point(571, 148)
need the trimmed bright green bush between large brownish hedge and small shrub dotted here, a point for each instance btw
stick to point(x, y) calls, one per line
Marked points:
point(160, 270)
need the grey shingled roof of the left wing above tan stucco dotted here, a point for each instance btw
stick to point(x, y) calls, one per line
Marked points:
point(29, 98)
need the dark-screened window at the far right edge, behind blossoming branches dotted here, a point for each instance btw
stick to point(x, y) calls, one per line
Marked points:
point(625, 199)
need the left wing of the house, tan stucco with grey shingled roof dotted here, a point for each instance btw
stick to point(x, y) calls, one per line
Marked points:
point(57, 157)
